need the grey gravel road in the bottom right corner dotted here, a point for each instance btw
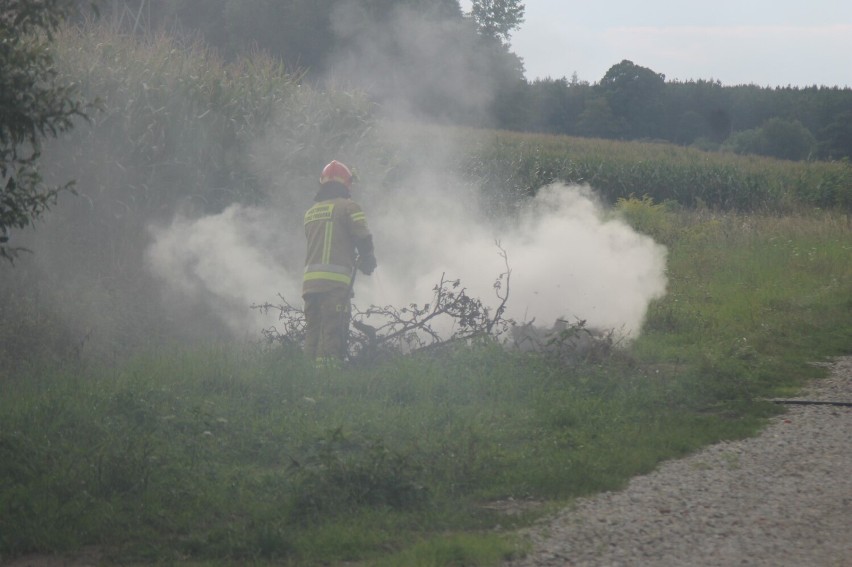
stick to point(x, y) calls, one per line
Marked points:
point(783, 498)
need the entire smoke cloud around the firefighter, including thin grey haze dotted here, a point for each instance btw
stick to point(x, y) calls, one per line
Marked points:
point(156, 250)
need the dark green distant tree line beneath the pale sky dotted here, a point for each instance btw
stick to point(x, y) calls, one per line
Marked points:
point(632, 102)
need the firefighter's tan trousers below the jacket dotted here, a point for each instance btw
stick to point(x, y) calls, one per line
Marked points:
point(327, 317)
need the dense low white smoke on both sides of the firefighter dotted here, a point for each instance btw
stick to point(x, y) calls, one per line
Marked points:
point(568, 258)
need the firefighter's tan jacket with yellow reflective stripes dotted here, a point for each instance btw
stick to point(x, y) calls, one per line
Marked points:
point(336, 230)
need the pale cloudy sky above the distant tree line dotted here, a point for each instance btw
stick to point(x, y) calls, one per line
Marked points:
point(762, 42)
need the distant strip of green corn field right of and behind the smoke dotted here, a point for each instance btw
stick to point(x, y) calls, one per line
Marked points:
point(518, 165)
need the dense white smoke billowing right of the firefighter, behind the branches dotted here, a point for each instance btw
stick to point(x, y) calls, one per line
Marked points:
point(568, 258)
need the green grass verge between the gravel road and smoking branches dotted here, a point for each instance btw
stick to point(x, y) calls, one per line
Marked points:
point(245, 454)
